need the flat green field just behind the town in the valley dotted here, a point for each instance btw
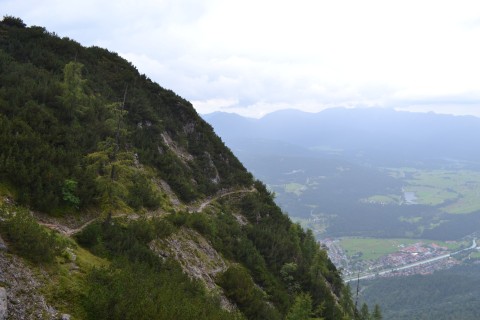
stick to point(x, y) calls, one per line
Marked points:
point(373, 249)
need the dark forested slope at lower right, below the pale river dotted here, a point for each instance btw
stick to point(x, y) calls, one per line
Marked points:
point(447, 294)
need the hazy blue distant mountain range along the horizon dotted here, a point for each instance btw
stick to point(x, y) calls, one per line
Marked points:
point(379, 136)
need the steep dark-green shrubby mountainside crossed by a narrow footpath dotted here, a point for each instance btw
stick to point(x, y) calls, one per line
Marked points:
point(153, 217)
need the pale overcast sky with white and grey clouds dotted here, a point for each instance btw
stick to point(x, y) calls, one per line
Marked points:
point(256, 56)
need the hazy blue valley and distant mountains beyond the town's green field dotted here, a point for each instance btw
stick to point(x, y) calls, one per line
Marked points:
point(365, 172)
